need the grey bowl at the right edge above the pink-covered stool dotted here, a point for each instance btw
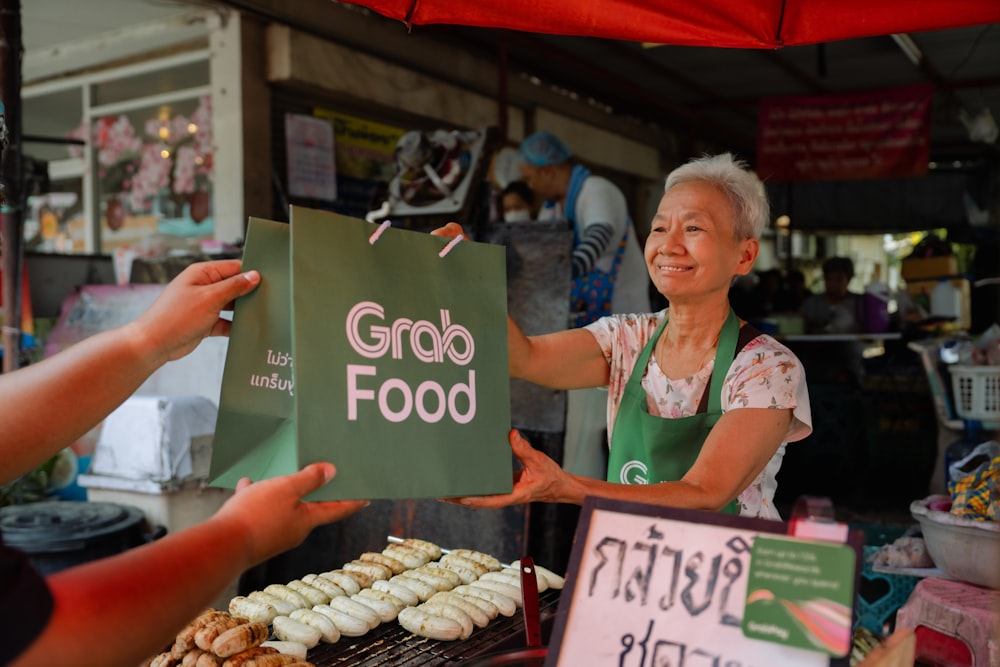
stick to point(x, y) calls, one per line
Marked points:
point(963, 549)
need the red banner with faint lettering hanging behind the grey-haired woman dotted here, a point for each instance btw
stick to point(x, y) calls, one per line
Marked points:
point(866, 135)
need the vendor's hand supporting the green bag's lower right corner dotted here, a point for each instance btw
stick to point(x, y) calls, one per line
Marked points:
point(540, 480)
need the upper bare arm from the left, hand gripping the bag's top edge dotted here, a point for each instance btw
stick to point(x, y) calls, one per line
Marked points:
point(48, 405)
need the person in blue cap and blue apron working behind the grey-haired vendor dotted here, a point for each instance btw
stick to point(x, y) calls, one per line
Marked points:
point(609, 273)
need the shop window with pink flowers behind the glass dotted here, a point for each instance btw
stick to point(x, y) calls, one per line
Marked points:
point(125, 157)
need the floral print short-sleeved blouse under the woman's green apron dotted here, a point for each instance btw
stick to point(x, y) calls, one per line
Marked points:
point(764, 374)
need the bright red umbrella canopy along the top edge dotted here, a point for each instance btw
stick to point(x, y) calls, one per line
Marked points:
point(721, 23)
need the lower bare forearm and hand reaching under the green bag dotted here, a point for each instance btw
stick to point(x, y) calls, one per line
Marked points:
point(147, 594)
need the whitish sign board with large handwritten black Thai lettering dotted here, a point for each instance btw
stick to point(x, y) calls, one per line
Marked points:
point(650, 586)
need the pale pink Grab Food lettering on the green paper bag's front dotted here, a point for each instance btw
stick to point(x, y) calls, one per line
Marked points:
point(372, 338)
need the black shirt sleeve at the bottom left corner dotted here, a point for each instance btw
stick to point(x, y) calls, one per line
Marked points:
point(25, 602)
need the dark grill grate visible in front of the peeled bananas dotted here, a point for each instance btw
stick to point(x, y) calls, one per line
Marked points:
point(389, 645)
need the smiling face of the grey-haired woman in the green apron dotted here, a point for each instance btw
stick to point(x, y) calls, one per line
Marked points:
point(691, 248)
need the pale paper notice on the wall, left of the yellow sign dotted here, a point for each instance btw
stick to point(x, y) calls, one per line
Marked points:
point(311, 171)
